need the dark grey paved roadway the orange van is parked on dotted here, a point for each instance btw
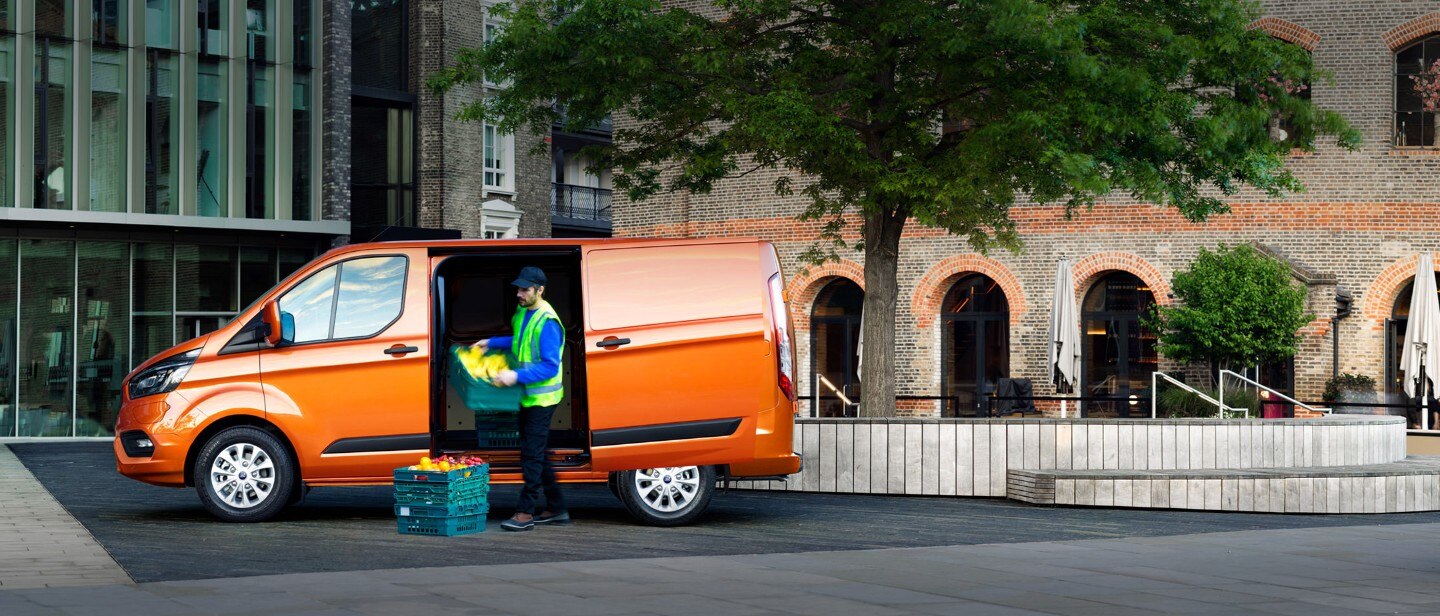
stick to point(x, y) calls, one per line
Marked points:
point(163, 535)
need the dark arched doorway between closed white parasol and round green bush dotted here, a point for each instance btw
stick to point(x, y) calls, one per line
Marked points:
point(1118, 355)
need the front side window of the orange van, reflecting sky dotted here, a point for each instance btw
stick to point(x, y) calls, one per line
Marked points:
point(369, 299)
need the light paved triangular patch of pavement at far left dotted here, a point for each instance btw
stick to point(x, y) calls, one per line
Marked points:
point(40, 543)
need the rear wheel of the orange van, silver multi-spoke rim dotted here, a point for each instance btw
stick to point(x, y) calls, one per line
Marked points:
point(666, 497)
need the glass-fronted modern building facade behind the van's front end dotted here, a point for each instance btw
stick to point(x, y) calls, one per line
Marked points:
point(159, 172)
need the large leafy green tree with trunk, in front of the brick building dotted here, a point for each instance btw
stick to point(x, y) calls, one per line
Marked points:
point(911, 112)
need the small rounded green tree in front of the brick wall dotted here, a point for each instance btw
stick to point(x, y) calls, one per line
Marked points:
point(1236, 309)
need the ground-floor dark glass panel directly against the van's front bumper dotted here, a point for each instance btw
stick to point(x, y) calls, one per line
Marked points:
point(104, 310)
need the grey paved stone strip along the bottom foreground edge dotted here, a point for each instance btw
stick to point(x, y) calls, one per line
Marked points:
point(1311, 572)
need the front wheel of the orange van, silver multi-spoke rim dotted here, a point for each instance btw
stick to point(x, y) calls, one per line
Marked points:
point(235, 492)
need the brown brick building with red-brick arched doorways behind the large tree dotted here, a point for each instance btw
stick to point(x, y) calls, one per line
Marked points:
point(967, 320)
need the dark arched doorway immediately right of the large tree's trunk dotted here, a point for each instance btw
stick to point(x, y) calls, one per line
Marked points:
point(976, 343)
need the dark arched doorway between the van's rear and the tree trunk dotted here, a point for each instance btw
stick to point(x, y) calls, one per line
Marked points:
point(836, 346)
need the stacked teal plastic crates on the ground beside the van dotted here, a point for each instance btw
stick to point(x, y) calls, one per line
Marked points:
point(443, 503)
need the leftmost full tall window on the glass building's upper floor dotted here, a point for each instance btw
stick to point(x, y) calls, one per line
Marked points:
point(53, 124)
